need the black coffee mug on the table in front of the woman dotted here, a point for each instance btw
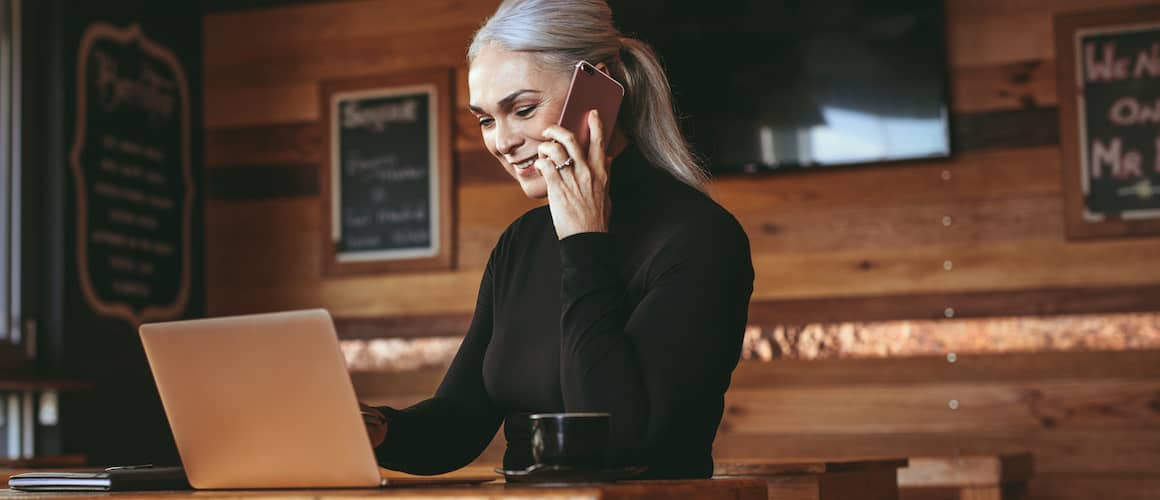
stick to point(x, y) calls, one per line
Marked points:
point(574, 440)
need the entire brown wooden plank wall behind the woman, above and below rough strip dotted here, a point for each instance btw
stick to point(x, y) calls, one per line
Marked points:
point(849, 244)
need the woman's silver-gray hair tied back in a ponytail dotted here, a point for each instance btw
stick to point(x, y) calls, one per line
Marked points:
point(562, 33)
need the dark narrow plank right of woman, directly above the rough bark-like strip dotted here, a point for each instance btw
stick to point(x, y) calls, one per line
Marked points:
point(974, 305)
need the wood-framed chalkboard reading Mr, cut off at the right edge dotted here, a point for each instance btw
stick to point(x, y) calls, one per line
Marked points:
point(1111, 119)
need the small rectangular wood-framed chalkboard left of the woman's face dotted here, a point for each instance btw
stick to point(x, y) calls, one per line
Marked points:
point(388, 183)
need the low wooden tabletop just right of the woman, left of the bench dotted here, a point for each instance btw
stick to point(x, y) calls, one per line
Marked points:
point(820, 480)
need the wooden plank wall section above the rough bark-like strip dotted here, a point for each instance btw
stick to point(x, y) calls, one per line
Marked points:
point(849, 244)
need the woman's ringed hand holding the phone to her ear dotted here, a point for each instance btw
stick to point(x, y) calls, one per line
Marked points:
point(577, 195)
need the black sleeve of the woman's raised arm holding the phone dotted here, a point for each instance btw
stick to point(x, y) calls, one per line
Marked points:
point(662, 369)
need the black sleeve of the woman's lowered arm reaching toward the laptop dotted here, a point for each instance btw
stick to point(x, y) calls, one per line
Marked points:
point(454, 427)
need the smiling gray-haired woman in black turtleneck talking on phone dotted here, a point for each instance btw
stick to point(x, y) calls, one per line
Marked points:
point(628, 294)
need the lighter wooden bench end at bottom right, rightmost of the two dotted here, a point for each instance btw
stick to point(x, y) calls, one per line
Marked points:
point(980, 477)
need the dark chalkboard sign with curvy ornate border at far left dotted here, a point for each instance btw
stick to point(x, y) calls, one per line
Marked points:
point(130, 160)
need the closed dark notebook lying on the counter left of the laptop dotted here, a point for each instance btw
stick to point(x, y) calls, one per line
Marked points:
point(136, 479)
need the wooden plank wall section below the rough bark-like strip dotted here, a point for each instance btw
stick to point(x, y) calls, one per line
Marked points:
point(1092, 421)
